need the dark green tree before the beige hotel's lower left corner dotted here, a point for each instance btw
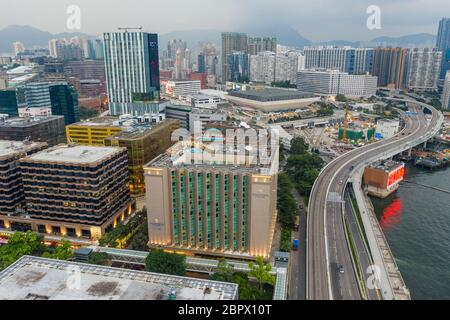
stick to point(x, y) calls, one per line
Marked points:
point(168, 263)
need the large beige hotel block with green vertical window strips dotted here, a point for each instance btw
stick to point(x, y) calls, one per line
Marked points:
point(211, 208)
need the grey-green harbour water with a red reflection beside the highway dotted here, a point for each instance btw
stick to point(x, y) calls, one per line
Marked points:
point(416, 222)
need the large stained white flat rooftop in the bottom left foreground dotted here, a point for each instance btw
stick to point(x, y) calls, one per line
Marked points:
point(33, 278)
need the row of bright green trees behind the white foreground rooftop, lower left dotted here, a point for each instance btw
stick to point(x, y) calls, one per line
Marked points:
point(30, 243)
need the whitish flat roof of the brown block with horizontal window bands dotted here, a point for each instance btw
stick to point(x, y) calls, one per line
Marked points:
point(74, 154)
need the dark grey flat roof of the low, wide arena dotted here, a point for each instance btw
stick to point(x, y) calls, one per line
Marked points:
point(271, 94)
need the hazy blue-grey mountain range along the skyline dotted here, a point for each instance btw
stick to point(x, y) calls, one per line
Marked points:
point(286, 35)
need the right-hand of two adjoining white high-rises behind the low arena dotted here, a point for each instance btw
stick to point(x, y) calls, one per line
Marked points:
point(287, 65)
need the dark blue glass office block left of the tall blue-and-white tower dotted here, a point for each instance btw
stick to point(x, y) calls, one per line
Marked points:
point(64, 102)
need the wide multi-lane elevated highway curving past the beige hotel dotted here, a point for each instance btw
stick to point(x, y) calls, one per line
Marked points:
point(327, 248)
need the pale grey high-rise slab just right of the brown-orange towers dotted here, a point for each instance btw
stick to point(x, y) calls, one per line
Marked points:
point(423, 69)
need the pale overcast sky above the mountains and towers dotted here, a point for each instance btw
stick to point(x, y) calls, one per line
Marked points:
point(316, 20)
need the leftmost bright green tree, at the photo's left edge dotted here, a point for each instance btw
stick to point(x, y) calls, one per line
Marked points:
point(19, 244)
